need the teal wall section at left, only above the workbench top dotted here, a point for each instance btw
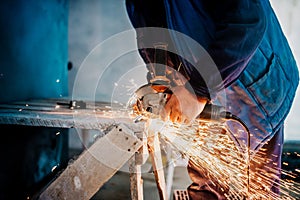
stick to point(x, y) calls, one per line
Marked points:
point(33, 49)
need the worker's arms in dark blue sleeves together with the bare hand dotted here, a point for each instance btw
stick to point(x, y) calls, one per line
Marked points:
point(230, 31)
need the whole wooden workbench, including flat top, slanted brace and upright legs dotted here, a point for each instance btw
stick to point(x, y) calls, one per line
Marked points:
point(120, 144)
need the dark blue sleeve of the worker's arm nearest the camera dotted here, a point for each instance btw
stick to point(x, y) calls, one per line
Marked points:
point(230, 31)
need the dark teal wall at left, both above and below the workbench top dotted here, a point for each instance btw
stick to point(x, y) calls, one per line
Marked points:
point(33, 65)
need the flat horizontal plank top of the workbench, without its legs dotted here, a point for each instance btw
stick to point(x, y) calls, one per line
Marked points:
point(57, 113)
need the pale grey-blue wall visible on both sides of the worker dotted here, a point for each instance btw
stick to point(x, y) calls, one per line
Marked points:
point(117, 68)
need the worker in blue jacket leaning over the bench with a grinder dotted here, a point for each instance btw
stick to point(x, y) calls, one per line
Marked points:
point(254, 66)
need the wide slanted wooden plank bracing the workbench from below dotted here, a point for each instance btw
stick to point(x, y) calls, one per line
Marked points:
point(95, 166)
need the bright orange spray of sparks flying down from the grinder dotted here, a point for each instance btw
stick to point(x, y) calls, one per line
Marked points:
point(210, 147)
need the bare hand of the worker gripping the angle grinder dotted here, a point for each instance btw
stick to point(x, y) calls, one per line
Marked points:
point(183, 106)
